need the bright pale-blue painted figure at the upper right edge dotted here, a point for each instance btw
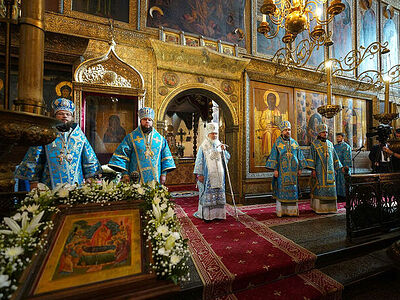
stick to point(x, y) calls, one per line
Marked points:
point(390, 35)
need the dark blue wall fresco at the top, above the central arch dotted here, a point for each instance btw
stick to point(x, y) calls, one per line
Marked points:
point(216, 19)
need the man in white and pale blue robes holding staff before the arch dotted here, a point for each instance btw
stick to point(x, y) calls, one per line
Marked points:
point(209, 169)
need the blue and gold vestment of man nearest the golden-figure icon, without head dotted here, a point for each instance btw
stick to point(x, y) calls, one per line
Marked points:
point(287, 158)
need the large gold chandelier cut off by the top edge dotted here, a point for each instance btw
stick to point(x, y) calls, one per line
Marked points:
point(295, 17)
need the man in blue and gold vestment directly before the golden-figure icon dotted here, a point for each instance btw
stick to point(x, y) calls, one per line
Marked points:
point(287, 161)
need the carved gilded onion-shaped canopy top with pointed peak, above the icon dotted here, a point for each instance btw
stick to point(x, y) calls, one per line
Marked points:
point(109, 74)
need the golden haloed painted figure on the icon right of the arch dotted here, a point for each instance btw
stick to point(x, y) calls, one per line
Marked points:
point(270, 118)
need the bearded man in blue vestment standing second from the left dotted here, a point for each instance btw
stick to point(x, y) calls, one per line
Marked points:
point(144, 151)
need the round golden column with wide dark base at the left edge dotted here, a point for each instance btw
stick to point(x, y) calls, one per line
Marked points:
point(20, 130)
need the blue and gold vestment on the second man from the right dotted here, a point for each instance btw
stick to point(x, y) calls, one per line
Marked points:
point(324, 160)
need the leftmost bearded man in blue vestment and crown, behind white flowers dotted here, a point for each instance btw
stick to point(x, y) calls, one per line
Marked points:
point(68, 159)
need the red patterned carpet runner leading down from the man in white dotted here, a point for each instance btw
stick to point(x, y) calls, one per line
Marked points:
point(233, 256)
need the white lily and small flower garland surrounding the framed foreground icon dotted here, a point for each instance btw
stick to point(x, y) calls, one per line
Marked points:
point(24, 233)
